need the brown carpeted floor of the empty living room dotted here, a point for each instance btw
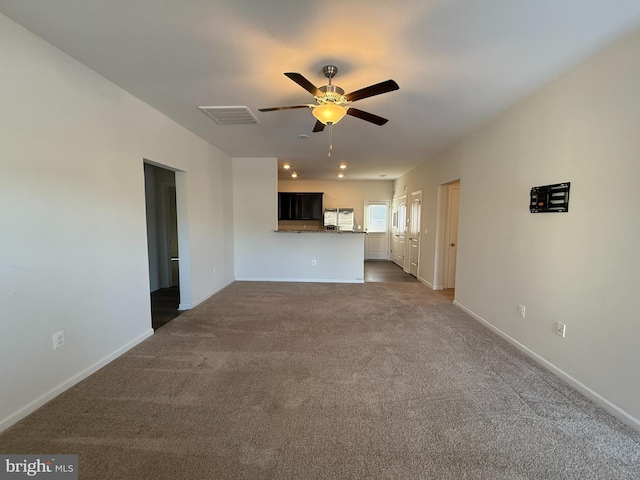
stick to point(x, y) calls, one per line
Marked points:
point(327, 381)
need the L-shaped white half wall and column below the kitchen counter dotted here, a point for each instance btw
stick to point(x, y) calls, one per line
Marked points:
point(263, 254)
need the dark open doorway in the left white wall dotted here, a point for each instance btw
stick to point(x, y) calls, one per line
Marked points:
point(162, 244)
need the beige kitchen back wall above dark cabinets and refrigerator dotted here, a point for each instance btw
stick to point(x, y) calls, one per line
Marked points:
point(343, 193)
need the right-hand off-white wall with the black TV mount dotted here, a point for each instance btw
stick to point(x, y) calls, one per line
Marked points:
point(581, 267)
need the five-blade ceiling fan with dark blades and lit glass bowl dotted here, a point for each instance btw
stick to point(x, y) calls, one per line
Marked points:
point(332, 103)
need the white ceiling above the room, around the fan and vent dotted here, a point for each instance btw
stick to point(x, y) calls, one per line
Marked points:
point(458, 63)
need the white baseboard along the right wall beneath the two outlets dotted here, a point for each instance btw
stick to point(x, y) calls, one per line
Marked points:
point(609, 406)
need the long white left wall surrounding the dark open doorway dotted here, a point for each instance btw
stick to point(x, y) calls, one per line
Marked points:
point(73, 250)
